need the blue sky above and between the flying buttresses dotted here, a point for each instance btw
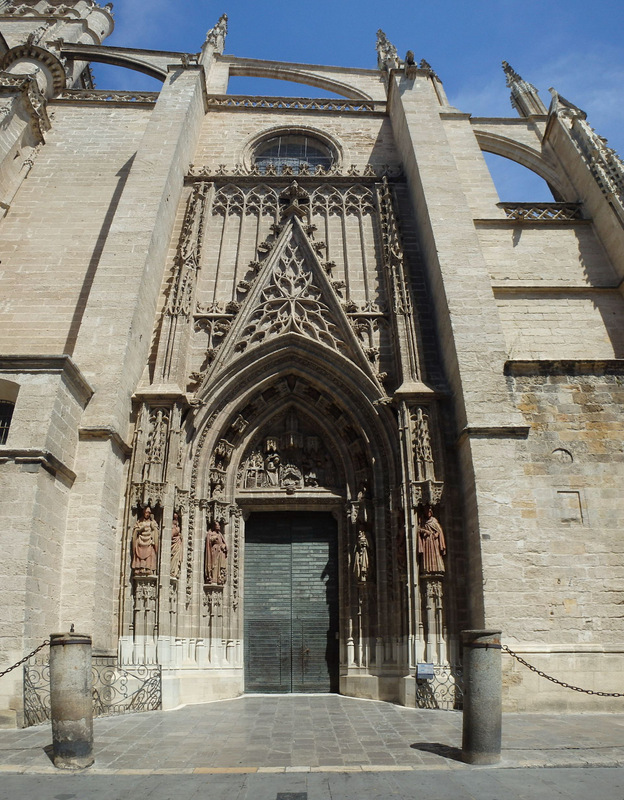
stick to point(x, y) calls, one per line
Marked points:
point(573, 45)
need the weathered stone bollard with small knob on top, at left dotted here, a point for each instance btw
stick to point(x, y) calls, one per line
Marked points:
point(70, 700)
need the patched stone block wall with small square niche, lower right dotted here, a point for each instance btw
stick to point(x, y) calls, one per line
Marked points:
point(553, 562)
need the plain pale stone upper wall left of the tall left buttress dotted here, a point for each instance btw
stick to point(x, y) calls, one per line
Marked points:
point(66, 203)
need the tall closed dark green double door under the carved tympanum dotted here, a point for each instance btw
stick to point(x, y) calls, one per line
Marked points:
point(291, 603)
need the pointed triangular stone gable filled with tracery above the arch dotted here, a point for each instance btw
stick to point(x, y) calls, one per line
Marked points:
point(292, 295)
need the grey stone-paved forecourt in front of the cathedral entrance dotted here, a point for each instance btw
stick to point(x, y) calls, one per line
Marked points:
point(316, 733)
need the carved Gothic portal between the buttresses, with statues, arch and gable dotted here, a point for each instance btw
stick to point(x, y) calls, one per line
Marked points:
point(310, 406)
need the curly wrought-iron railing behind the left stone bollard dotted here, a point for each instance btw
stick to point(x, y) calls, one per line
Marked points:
point(116, 690)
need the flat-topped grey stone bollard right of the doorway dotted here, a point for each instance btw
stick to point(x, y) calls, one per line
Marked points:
point(482, 718)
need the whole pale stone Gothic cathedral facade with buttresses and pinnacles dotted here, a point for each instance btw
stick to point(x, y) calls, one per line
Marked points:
point(288, 397)
